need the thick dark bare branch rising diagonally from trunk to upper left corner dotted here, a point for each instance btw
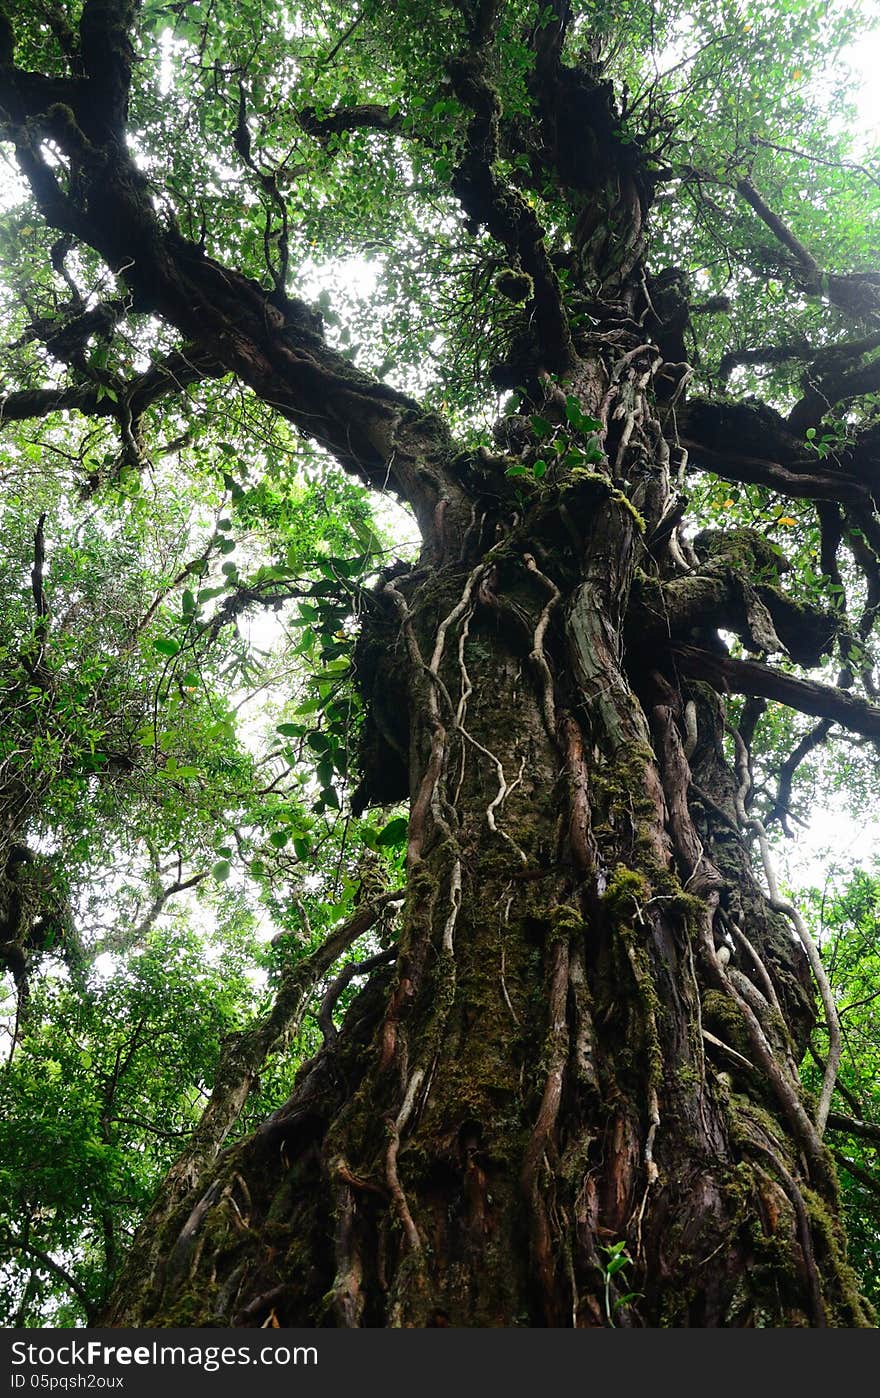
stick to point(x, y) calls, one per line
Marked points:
point(272, 342)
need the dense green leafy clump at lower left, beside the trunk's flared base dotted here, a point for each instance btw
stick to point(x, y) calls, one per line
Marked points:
point(106, 1086)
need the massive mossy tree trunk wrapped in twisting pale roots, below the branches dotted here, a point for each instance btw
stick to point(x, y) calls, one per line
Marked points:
point(591, 1034)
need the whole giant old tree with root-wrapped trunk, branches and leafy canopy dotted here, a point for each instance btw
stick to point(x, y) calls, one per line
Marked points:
point(573, 1098)
